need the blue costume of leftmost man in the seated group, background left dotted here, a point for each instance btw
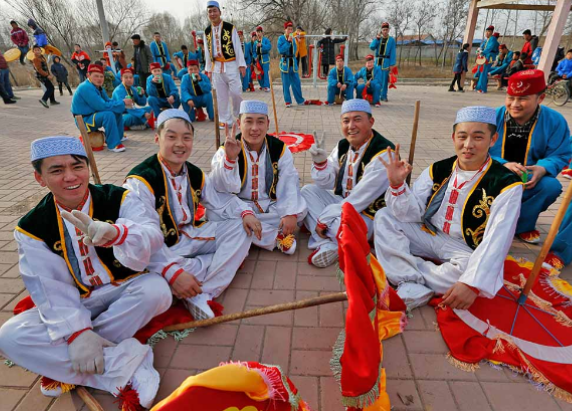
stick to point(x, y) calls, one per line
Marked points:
point(98, 110)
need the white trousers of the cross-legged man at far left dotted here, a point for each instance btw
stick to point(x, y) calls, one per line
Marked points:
point(118, 312)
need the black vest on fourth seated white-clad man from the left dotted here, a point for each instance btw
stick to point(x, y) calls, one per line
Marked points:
point(377, 145)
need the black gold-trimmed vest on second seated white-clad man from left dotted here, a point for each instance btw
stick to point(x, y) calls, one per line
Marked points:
point(152, 174)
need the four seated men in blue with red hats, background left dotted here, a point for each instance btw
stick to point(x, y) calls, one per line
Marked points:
point(120, 112)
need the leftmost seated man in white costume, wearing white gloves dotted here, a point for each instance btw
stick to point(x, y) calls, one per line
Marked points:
point(88, 280)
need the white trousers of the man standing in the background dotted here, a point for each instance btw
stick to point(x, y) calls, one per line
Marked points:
point(228, 87)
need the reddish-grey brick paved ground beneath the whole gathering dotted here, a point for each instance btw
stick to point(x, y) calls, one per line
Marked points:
point(300, 342)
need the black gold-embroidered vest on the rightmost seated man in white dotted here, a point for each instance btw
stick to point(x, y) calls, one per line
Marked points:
point(476, 211)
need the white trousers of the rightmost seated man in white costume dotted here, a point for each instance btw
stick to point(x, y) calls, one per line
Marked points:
point(397, 244)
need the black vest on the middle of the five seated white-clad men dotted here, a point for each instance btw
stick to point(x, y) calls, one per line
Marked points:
point(275, 148)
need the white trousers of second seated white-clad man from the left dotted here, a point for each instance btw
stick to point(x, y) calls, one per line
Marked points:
point(214, 253)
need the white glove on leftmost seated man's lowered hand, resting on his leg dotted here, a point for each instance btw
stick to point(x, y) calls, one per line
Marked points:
point(86, 353)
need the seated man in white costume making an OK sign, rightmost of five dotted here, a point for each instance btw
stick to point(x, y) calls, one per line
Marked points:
point(461, 212)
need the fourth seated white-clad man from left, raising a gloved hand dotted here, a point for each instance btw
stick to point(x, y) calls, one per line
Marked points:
point(351, 174)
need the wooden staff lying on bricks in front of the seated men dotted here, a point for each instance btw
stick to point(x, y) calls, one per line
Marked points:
point(294, 305)
